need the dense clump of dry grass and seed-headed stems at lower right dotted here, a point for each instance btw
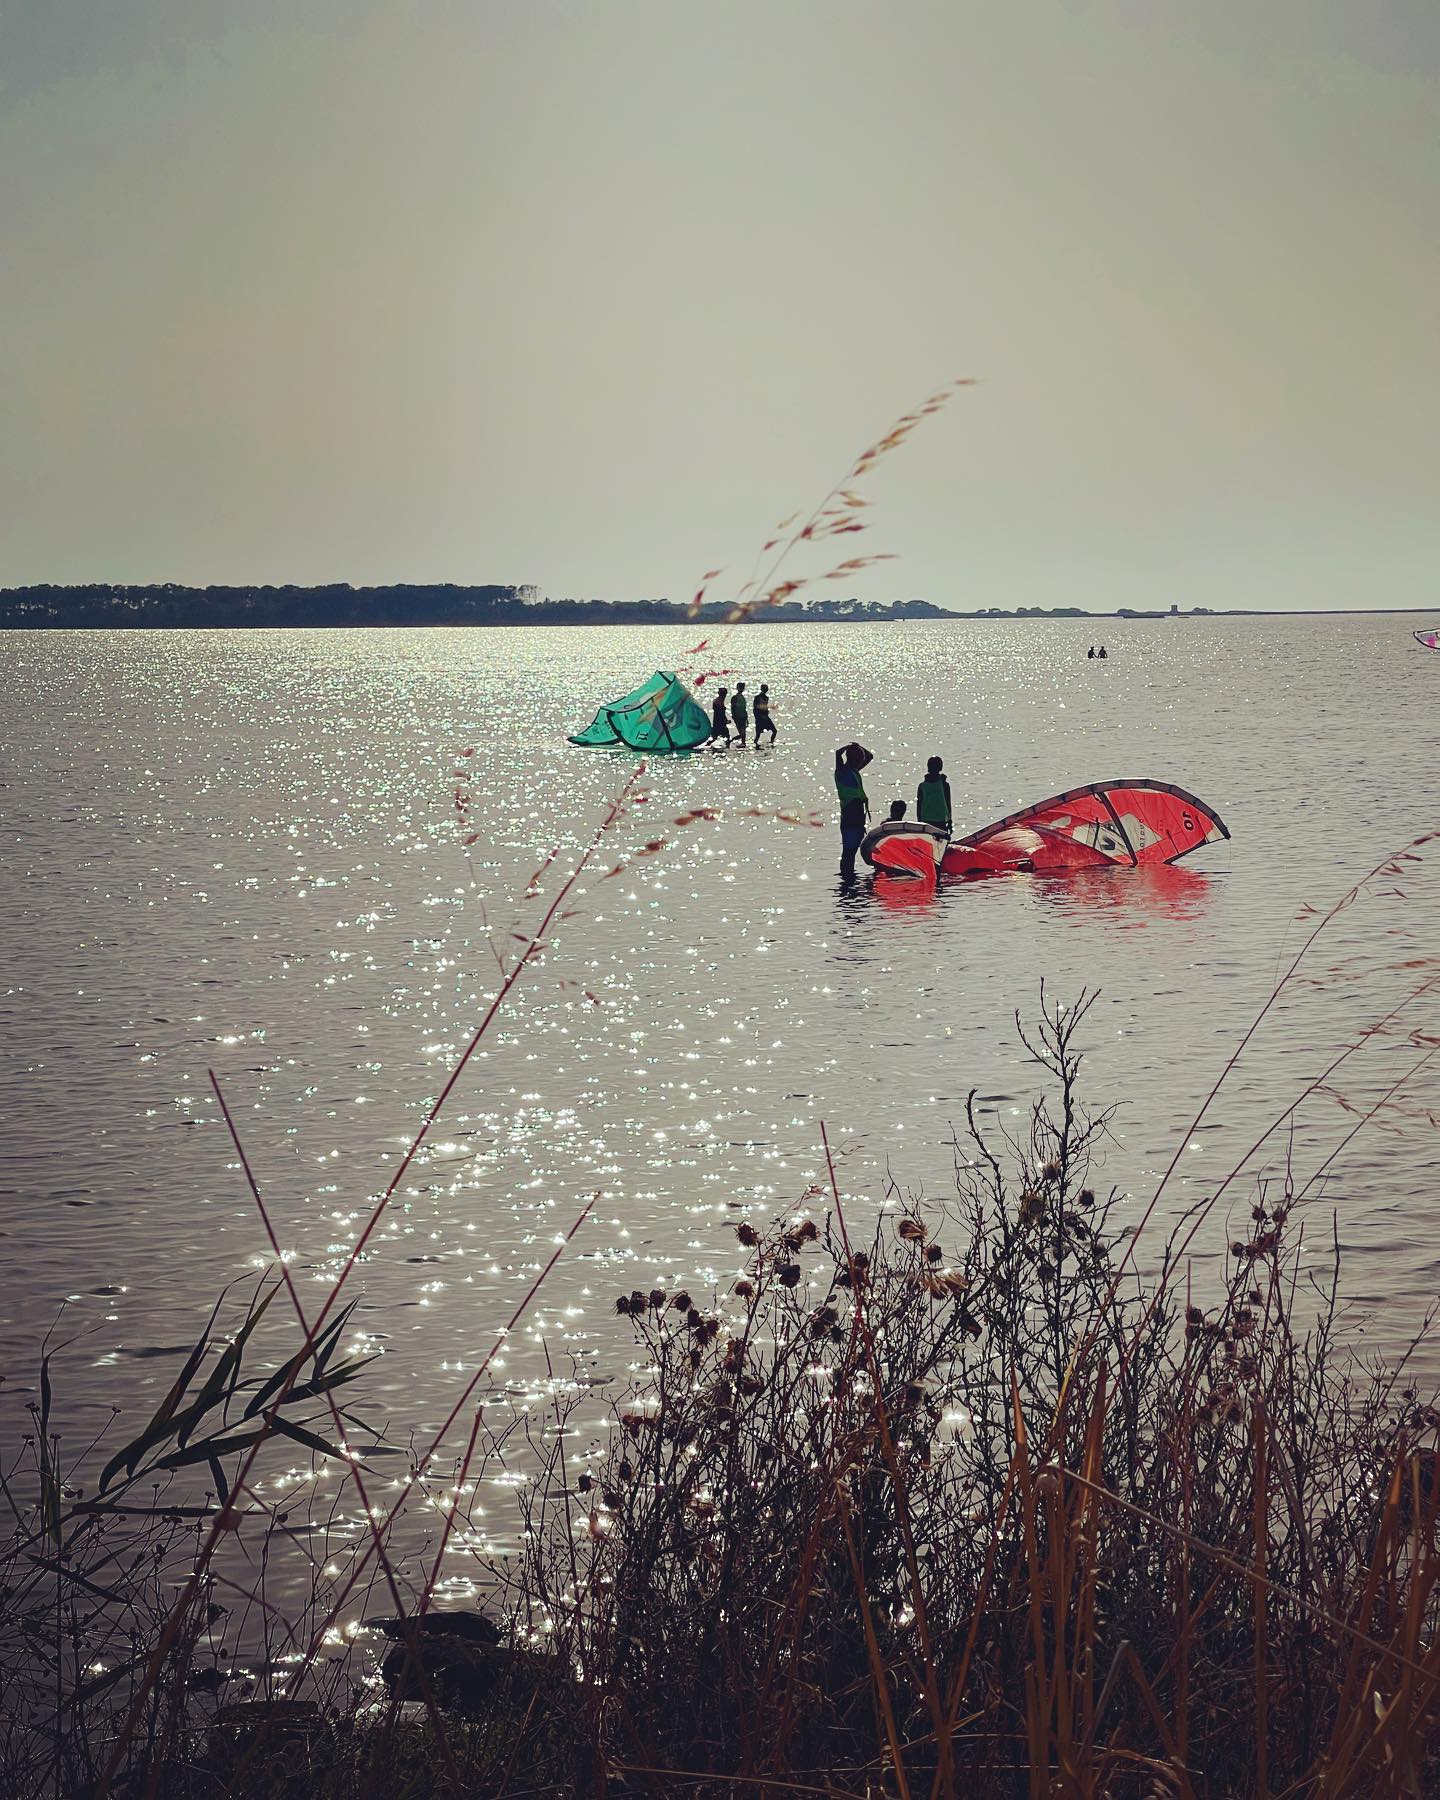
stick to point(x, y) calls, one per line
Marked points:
point(874, 1525)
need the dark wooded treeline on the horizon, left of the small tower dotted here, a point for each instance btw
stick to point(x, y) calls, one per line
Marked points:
point(166, 604)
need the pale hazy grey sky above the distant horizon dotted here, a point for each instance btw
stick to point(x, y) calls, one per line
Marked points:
point(591, 294)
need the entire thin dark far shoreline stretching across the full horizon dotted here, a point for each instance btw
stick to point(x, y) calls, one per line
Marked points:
point(404, 607)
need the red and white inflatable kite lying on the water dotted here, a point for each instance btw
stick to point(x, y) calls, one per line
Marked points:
point(1110, 825)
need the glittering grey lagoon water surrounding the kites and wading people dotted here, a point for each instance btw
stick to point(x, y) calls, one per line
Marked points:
point(240, 850)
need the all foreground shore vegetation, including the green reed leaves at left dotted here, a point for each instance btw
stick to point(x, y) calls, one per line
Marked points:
point(966, 1507)
